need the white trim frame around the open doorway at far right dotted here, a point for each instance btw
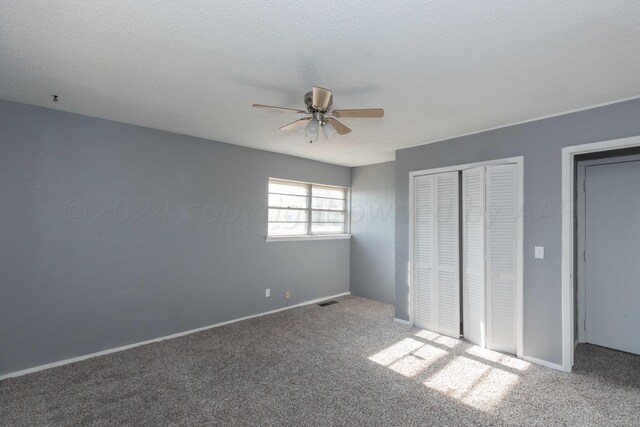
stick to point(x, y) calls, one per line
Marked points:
point(569, 238)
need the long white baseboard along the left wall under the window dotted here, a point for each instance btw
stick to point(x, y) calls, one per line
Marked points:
point(168, 337)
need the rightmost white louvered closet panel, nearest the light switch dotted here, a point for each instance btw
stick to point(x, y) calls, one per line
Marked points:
point(501, 244)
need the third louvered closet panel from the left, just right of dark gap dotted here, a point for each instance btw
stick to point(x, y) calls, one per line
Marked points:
point(473, 255)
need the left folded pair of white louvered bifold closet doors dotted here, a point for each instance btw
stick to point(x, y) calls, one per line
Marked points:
point(436, 253)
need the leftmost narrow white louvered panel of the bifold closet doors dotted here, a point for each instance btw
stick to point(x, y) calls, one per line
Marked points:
point(423, 226)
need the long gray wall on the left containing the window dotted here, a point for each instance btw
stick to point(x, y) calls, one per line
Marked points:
point(112, 234)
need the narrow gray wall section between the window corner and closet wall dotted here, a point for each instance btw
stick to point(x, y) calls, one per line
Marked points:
point(373, 229)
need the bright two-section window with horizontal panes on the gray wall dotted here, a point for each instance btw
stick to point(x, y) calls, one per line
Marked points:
point(304, 209)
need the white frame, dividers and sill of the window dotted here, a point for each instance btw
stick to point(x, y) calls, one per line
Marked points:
point(310, 210)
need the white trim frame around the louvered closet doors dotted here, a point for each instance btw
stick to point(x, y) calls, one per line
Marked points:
point(519, 161)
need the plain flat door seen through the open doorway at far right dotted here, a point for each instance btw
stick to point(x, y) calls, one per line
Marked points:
point(612, 267)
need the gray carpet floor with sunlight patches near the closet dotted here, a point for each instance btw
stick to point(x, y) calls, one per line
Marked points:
point(345, 364)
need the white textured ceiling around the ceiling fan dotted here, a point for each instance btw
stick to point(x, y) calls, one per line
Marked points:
point(438, 68)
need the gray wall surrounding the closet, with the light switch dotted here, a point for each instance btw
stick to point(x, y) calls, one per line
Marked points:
point(540, 142)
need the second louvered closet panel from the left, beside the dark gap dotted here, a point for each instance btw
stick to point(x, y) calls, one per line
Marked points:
point(447, 253)
